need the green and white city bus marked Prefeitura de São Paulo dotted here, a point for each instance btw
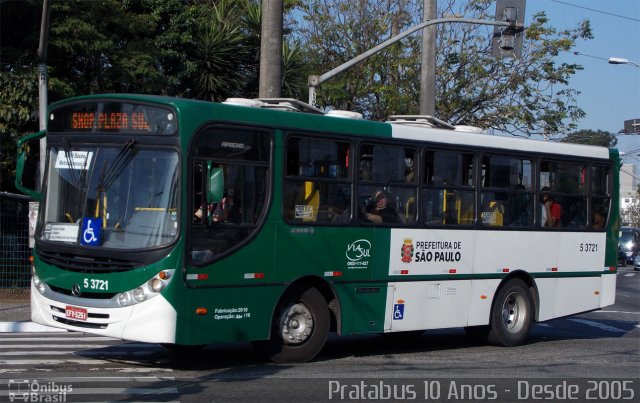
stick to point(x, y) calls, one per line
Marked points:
point(184, 222)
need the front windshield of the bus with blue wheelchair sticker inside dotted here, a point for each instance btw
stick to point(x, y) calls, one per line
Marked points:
point(121, 197)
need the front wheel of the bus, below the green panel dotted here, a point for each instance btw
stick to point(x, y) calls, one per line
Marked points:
point(300, 328)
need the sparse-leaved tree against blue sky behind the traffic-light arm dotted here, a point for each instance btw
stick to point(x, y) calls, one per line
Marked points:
point(522, 97)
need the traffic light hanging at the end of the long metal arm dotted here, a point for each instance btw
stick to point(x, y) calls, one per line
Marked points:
point(507, 41)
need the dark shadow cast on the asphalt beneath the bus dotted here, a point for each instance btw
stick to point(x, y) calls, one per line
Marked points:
point(242, 355)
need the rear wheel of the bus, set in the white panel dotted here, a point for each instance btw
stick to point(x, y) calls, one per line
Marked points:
point(511, 315)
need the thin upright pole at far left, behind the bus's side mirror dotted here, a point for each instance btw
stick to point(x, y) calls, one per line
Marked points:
point(42, 87)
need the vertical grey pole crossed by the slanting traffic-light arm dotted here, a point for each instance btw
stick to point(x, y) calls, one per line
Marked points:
point(428, 65)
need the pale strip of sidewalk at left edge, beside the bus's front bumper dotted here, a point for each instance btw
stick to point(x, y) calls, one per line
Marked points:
point(15, 315)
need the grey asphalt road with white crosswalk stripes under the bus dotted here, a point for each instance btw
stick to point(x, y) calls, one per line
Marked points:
point(594, 356)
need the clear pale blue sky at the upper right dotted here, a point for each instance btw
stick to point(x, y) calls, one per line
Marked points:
point(609, 94)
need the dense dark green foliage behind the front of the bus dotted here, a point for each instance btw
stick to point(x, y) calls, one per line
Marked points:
point(206, 49)
